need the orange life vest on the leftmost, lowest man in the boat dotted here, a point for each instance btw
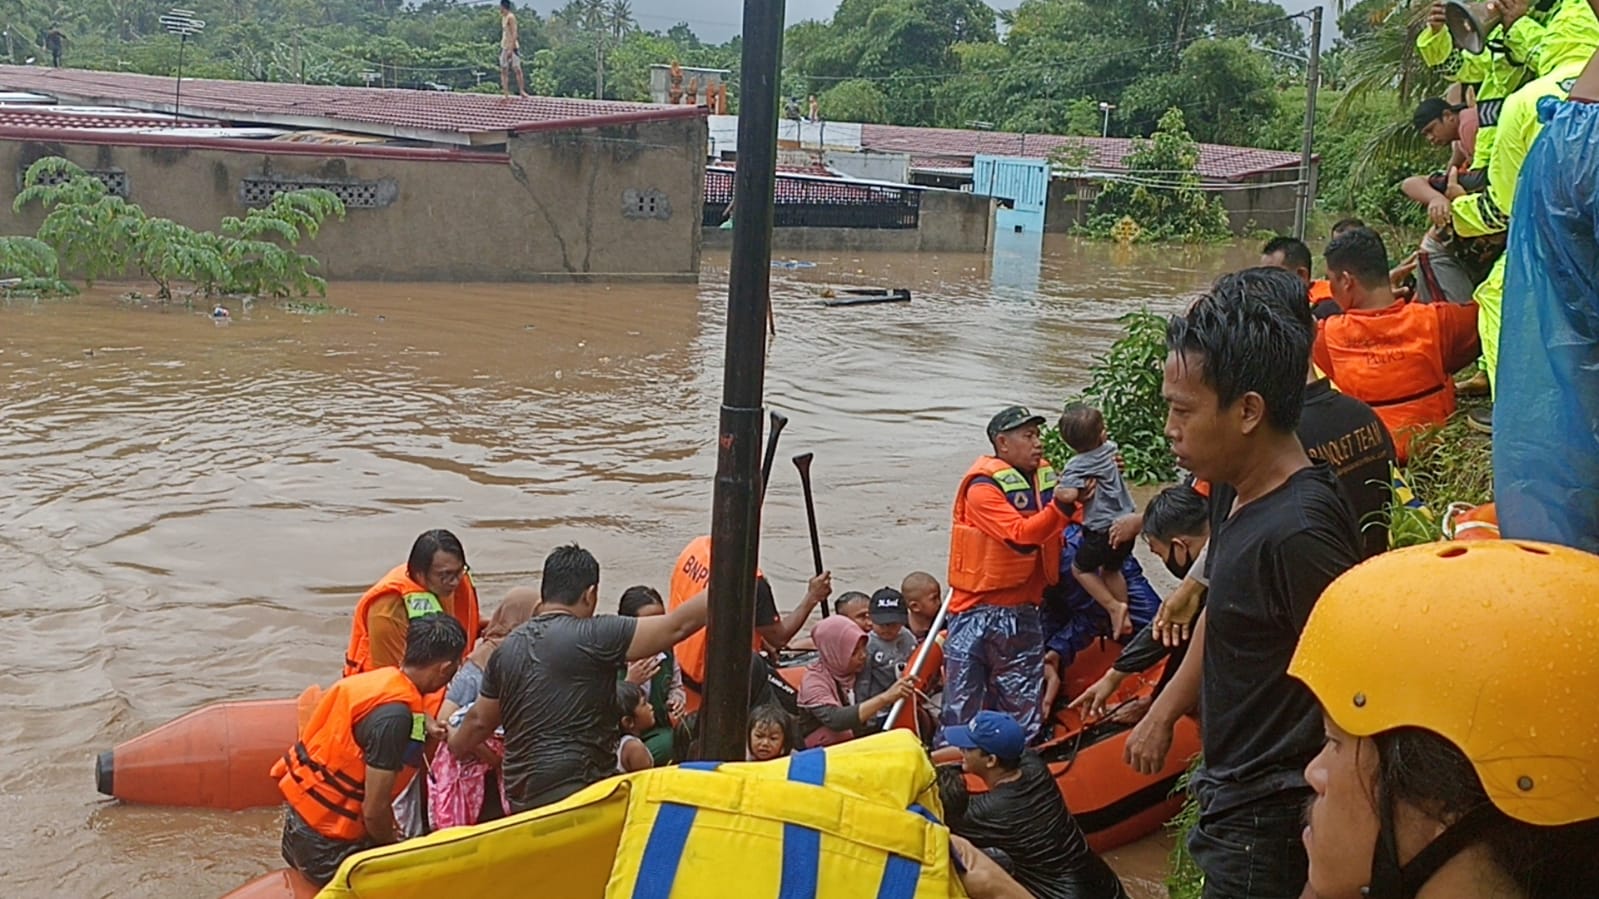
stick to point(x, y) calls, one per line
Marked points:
point(324, 777)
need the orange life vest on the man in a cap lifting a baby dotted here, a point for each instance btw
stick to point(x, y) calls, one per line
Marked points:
point(981, 564)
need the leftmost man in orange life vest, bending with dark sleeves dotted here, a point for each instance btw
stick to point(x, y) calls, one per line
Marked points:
point(361, 749)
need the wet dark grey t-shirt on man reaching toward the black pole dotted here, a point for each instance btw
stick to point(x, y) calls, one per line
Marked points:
point(556, 682)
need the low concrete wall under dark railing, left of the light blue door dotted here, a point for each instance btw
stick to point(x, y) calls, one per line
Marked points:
point(949, 222)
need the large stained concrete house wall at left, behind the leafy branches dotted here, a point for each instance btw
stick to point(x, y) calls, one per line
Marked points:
point(567, 206)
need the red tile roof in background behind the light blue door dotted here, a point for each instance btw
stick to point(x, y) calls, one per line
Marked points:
point(952, 148)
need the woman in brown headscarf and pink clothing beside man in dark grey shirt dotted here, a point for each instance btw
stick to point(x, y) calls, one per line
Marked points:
point(465, 791)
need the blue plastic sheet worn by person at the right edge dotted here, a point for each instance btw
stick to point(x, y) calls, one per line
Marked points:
point(1547, 412)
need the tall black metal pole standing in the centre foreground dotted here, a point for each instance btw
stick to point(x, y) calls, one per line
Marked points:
point(736, 525)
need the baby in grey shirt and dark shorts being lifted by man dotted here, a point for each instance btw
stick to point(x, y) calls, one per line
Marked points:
point(1098, 565)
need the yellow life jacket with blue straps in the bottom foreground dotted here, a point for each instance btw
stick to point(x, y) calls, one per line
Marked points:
point(851, 820)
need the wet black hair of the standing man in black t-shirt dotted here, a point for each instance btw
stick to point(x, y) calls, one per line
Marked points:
point(1245, 340)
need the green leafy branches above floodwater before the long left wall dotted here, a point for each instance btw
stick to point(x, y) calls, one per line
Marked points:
point(97, 234)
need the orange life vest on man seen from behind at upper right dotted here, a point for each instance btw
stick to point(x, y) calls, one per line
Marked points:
point(1392, 361)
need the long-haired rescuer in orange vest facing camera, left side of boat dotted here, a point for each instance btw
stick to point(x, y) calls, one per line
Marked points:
point(433, 581)
